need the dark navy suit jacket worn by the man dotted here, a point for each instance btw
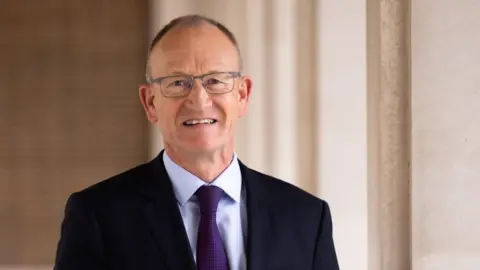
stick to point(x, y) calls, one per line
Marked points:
point(132, 221)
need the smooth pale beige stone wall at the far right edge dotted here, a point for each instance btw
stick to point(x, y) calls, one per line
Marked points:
point(446, 134)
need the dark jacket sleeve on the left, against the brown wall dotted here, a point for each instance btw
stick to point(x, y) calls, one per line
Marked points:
point(80, 245)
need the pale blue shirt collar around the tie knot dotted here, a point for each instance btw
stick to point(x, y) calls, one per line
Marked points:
point(185, 184)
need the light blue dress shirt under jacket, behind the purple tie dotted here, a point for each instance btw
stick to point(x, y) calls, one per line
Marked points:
point(231, 213)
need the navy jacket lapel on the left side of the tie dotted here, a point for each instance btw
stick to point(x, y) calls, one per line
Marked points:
point(163, 217)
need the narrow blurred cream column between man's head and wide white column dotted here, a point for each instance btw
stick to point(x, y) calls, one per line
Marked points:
point(282, 88)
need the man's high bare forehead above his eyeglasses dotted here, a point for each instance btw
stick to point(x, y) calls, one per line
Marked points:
point(194, 50)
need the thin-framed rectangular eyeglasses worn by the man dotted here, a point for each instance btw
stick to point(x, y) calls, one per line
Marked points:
point(180, 86)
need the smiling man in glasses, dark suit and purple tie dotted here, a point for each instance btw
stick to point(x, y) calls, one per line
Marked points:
point(195, 206)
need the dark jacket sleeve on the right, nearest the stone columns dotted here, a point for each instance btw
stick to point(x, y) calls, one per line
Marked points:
point(325, 254)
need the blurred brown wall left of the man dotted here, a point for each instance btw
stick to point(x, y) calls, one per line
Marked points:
point(69, 112)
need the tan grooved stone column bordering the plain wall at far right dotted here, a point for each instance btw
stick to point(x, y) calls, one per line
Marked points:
point(389, 134)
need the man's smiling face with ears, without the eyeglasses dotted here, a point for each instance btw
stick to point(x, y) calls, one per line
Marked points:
point(195, 51)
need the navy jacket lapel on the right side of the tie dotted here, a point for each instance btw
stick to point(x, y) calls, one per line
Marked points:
point(260, 220)
